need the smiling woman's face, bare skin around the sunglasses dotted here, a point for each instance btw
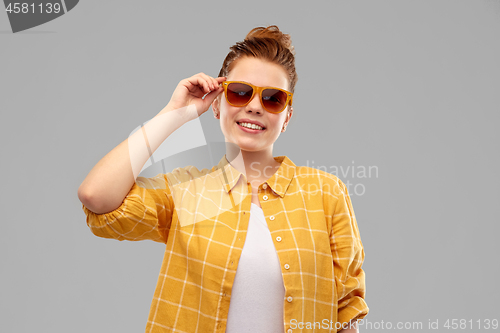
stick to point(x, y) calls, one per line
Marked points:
point(259, 73)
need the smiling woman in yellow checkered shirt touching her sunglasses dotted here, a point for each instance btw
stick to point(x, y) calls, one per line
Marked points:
point(256, 244)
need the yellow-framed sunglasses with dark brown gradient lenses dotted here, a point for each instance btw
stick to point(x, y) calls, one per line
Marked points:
point(239, 93)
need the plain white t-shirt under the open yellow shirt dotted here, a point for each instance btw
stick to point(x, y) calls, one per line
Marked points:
point(258, 291)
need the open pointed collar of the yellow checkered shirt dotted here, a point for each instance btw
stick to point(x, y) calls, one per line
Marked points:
point(279, 182)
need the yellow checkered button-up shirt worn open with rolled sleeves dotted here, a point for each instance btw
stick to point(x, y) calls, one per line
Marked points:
point(202, 217)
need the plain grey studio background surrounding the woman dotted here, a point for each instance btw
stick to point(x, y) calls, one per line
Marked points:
point(411, 87)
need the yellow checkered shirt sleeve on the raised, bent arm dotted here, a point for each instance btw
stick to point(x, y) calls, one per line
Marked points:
point(145, 213)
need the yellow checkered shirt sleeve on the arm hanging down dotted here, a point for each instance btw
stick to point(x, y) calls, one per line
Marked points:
point(348, 256)
